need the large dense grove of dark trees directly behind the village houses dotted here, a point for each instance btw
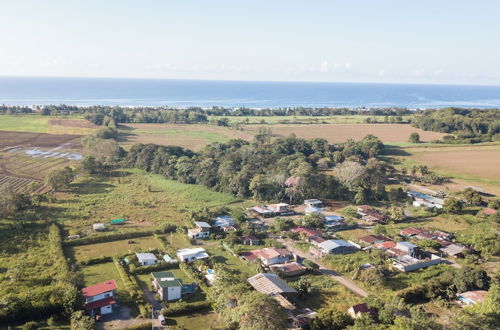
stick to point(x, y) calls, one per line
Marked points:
point(282, 169)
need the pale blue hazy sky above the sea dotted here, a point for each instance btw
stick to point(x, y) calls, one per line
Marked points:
point(404, 41)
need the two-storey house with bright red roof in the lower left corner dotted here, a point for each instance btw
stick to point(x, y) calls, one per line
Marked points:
point(100, 298)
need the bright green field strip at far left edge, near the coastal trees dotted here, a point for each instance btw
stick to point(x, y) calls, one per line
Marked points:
point(45, 124)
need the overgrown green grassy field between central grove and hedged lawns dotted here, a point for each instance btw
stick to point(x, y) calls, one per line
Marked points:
point(144, 200)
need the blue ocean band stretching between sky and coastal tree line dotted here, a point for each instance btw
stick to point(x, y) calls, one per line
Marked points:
point(205, 93)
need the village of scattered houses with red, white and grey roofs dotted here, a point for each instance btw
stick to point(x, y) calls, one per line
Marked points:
point(276, 256)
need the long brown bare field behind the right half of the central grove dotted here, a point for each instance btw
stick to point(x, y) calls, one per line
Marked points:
point(337, 133)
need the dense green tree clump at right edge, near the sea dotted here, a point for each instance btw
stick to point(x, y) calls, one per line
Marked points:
point(468, 125)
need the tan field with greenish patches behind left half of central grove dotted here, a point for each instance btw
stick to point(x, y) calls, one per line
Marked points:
point(187, 136)
